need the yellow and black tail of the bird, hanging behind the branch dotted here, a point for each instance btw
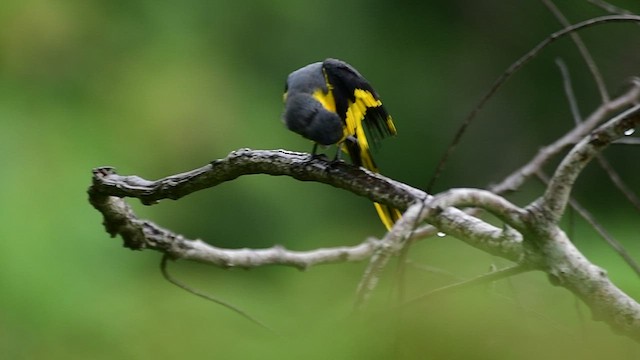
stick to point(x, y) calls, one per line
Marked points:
point(358, 150)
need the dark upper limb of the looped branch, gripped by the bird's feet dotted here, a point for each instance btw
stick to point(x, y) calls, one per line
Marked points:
point(300, 166)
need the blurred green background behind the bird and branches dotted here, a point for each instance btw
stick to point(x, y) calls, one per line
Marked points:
point(155, 88)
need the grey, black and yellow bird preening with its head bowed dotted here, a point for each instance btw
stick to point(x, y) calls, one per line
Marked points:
point(331, 103)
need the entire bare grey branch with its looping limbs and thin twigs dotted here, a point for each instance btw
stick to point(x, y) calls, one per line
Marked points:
point(530, 237)
